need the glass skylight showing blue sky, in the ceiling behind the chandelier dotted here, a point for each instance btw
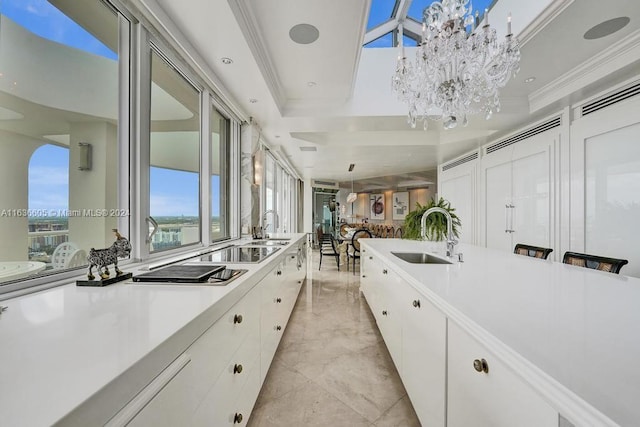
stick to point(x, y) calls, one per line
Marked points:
point(385, 15)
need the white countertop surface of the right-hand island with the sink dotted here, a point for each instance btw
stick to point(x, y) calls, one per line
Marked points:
point(575, 332)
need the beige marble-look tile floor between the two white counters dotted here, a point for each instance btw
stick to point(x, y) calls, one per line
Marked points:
point(332, 367)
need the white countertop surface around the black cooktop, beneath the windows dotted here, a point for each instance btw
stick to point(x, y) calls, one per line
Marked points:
point(60, 346)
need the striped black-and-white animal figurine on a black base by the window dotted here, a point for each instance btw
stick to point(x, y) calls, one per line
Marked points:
point(102, 258)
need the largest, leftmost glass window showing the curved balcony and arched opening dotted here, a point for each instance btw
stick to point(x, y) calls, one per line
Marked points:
point(59, 111)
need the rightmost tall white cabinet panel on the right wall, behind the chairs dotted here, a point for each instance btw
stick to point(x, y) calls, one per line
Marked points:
point(605, 183)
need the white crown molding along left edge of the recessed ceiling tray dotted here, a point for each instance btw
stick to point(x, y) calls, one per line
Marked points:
point(249, 26)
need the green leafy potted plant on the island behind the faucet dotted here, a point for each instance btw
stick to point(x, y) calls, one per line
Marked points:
point(436, 225)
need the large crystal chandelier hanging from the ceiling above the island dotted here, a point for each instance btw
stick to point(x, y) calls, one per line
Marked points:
point(459, 66)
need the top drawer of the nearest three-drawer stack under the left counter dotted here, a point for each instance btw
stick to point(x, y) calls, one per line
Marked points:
point(214, 349)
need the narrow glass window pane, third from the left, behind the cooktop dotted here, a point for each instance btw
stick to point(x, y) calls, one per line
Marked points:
point(220, 146)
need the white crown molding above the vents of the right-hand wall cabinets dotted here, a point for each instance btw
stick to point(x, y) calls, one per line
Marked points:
point(623, 53)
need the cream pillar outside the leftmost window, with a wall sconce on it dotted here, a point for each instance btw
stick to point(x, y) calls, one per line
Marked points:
point(95, 189)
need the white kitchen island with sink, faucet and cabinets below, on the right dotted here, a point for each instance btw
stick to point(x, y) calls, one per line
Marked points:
point(534, 341)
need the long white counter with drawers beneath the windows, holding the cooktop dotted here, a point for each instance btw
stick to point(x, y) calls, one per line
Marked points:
point(132, 353)
